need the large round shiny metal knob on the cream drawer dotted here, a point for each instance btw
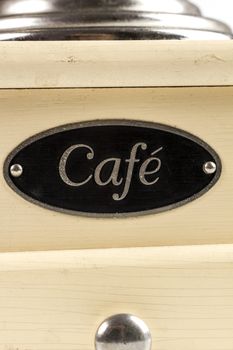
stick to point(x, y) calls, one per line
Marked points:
point(123, 332)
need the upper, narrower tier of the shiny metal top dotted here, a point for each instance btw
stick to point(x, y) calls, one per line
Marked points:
point(23, 7)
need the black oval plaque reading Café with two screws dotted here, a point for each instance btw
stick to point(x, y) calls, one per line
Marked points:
point(112, 168)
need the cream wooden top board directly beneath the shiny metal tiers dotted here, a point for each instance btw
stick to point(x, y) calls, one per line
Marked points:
point(115, 63)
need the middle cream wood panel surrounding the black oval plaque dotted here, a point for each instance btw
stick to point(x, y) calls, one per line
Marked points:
point(205, 112)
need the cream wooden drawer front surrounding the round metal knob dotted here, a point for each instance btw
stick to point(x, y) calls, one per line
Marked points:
point(56, 300)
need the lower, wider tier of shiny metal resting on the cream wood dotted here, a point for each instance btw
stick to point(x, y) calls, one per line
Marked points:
point(112, 27)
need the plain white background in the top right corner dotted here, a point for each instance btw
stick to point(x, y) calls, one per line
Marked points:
point(219, 9)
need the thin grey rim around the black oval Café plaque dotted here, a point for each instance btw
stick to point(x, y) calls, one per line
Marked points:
point(117, 122)
